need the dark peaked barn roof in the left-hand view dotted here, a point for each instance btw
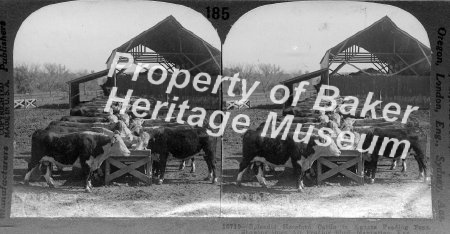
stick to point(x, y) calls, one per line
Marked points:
point(176, 44)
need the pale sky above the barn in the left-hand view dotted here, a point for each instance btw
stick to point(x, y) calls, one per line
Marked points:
point(81, 35)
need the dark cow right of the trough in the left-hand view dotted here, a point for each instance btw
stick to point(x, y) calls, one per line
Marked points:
point(183, 142)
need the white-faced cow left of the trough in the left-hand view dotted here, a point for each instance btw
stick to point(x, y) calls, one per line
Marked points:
point(90, 148)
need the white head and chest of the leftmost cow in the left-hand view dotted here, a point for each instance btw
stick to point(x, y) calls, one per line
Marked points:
point(115, 147)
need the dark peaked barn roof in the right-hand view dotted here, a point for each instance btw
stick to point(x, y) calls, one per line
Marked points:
point(389, 43)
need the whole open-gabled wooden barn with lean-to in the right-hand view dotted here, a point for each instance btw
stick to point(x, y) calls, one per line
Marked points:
point(399, 66)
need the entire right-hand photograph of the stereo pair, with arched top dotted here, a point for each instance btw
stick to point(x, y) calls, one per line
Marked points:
point(358, 70)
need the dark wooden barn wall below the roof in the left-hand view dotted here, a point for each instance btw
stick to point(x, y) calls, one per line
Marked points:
point(143, 88)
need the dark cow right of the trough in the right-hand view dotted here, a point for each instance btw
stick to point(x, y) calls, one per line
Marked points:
point(399, 134)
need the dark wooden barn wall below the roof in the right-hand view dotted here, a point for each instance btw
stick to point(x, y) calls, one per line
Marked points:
point(404, 90)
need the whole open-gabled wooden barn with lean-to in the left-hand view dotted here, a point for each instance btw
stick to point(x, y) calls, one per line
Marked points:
point(170, 45)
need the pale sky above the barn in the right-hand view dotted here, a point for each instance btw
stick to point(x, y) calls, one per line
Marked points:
point(296, 35)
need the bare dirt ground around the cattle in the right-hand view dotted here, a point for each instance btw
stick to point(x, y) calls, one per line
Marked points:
point(393, 195)
